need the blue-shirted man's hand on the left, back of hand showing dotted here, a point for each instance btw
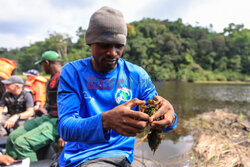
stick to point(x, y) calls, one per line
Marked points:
point(125, 121)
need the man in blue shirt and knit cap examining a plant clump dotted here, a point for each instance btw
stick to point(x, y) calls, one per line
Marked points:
point(97, 98)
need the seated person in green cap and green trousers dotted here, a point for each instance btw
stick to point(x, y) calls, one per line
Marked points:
point(39, 132)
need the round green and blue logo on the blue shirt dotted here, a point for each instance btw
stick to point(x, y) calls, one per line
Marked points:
point(123, 95)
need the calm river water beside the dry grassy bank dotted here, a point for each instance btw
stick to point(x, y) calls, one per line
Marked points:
point(190, 99)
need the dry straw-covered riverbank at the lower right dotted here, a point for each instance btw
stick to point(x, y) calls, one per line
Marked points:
point(221, 139)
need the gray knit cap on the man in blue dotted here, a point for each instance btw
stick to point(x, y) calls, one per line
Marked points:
point(106, 25)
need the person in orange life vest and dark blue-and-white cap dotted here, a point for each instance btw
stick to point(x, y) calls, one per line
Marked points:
point(36, 84)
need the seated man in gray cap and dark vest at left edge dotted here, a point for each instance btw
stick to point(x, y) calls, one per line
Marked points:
point(18, 102)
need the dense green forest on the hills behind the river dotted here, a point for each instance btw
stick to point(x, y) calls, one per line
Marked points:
point(167, 50)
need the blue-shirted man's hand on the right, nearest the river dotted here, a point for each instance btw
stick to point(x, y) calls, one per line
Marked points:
point(166, 110)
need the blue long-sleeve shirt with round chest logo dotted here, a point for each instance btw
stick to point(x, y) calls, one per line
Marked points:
point(83, 95)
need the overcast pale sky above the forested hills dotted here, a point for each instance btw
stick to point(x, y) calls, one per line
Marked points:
point(23, 22)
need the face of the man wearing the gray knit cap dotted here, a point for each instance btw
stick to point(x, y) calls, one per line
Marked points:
point(106, 56)
